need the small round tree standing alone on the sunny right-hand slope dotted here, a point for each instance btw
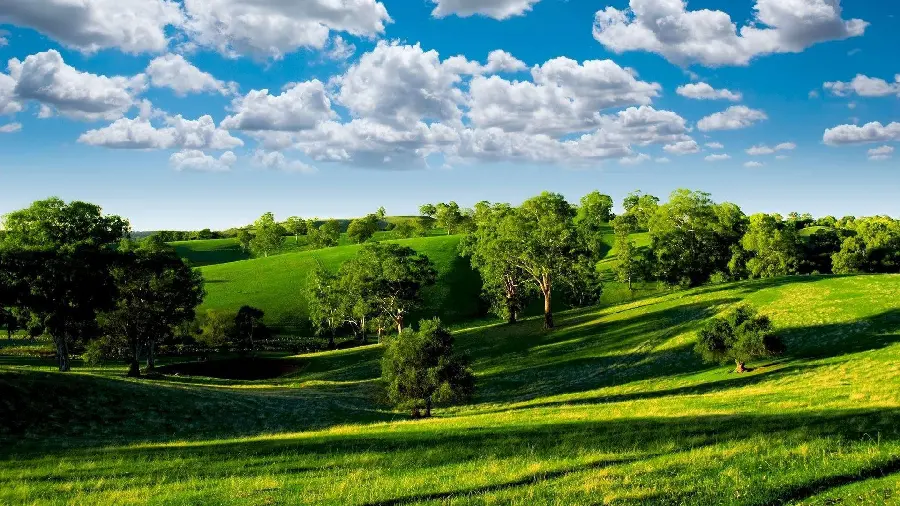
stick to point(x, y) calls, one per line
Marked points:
point(742, 335)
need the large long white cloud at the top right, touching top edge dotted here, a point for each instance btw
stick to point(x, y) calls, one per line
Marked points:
point(711, 38)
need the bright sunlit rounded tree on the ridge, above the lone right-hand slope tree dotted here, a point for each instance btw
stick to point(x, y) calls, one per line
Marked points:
point(775, 247)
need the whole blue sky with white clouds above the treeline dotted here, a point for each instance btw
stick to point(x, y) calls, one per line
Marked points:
point(207, 113)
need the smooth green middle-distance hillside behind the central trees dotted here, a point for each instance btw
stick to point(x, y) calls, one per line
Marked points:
point(278, 284)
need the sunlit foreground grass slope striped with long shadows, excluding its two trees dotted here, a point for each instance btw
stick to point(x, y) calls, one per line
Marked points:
point(613, 407)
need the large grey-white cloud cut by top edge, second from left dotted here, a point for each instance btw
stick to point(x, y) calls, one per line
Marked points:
point(275, 28)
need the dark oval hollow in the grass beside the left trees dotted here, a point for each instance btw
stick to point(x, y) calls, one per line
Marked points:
point(235, 368)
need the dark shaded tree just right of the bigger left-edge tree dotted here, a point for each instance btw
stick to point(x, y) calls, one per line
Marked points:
point(155, 293)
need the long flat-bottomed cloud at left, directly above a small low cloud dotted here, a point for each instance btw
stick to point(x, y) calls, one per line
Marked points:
point(179, 133)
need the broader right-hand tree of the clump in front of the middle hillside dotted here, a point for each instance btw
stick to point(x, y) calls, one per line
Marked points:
point(395, 278)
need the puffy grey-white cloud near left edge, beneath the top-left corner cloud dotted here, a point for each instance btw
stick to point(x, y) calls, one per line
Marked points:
point(46, 78)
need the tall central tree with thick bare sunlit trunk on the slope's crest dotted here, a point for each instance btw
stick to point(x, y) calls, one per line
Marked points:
point(546, 243)
